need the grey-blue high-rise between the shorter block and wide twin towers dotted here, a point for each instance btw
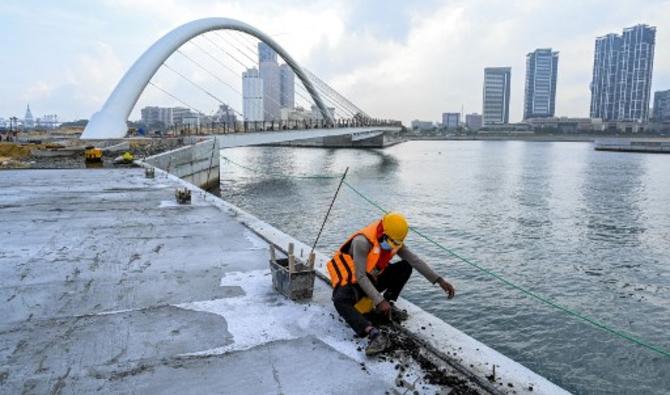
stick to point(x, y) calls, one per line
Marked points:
point(541, 73)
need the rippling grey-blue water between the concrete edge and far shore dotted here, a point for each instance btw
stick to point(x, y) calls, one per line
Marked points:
point(589, 229)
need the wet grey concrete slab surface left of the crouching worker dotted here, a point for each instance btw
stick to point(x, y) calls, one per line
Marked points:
point(108, 285)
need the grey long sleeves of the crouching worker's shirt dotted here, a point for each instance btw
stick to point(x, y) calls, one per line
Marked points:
point(360, 248)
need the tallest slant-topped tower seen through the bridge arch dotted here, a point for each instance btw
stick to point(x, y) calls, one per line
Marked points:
point(269, 72)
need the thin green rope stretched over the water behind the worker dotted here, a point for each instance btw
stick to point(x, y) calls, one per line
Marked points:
point(595, 323)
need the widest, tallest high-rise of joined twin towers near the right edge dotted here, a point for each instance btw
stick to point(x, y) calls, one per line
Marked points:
point(622, 70)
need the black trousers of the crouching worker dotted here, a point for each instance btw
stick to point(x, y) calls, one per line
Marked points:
point(390, 281)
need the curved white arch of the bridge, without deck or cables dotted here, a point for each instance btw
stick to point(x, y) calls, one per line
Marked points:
point(110, 121)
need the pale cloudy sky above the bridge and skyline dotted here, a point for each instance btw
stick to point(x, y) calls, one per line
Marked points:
point(395, 59)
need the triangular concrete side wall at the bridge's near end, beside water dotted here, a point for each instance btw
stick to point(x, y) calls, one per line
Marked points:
point(197, 164)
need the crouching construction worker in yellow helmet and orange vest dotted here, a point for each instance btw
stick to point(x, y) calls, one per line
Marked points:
point(361, 268)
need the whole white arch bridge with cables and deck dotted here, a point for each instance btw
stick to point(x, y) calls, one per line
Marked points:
point(331, 115)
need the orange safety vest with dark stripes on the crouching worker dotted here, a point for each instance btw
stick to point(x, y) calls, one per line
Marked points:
point(341, 267)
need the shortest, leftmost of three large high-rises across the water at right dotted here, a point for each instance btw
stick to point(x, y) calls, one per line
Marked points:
point(496, 95)
